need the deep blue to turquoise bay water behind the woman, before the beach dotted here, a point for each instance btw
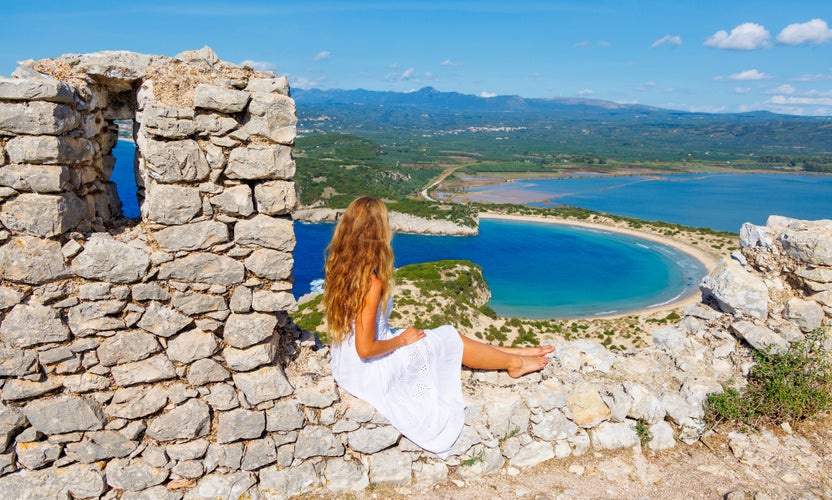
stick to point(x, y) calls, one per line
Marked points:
point(538, 270)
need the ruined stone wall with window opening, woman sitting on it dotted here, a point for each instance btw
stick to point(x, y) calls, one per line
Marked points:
point(157, 358)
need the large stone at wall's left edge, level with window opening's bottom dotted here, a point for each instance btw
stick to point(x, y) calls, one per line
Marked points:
point(43, 215)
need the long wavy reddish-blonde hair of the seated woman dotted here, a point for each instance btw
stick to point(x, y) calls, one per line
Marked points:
point(360, 247)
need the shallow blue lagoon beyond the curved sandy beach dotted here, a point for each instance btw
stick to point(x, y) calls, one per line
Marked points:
point(718, 201)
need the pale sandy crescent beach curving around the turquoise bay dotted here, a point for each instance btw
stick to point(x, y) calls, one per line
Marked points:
point(708, 260)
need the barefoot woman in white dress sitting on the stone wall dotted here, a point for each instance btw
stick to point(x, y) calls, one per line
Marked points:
point(412, 376)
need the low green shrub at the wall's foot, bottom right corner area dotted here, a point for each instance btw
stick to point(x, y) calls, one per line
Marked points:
point(781, 387)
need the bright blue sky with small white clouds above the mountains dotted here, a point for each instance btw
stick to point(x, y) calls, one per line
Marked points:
point(705, 55)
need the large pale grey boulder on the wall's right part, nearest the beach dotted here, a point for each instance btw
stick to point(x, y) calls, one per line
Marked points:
point(736, 291)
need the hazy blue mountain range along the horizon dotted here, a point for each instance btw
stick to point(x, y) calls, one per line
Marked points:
point(578, 125)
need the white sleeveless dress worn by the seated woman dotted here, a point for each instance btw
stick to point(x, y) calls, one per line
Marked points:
point(416, 387)
